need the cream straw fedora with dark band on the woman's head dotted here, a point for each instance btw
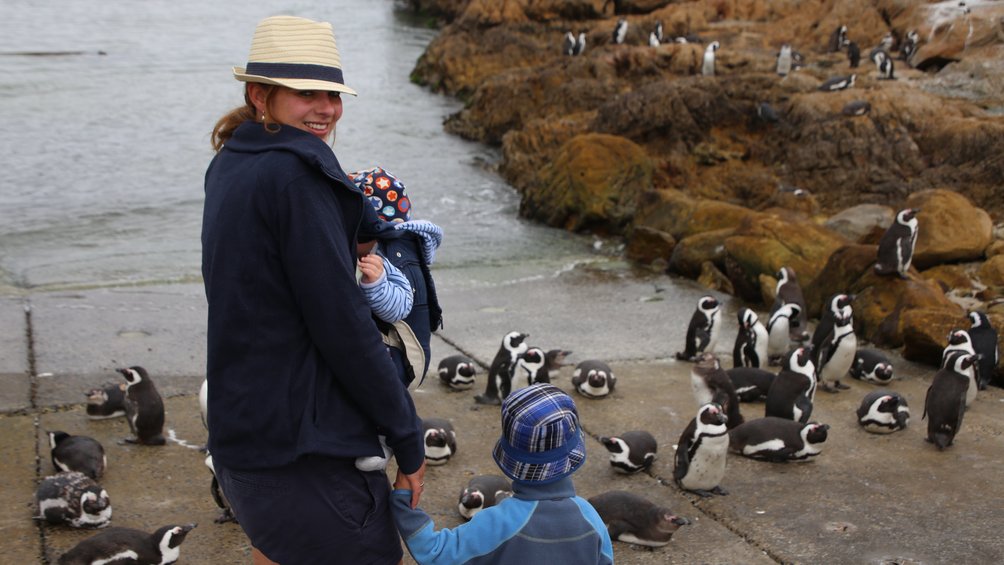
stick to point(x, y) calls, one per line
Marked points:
point(295, 53)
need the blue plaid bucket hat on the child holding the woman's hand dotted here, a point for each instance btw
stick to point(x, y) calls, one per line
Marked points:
point(542, 441)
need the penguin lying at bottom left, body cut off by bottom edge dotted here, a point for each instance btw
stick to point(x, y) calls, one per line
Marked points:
point(126, 545)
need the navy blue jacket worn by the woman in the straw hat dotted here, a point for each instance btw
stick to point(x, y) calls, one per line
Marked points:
point(296, 363)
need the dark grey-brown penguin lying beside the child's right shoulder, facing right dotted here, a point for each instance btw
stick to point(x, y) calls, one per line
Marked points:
point(634, 519)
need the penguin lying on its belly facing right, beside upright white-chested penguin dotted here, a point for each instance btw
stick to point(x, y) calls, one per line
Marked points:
point(779, 439)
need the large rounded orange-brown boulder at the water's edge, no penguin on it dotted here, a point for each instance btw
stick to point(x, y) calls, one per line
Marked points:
point(593, 184)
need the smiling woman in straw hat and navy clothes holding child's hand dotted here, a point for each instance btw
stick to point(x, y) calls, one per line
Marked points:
point(300, 379)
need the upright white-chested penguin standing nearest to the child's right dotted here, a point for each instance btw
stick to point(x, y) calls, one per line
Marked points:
point(701, 453)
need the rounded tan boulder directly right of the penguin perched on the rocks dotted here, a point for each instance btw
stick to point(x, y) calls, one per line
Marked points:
point(950, 229)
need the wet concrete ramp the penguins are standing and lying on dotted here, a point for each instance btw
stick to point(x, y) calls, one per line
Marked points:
point(866, 499)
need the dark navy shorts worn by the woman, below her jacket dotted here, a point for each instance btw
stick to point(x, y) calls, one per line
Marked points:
point(316, 510)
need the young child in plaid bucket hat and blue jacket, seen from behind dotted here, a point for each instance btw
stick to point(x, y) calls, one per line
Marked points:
point(545, 522)
